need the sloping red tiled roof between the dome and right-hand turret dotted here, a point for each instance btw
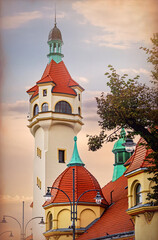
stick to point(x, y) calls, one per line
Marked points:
point(115, 219)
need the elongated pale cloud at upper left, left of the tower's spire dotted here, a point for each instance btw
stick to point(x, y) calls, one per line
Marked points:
point(16, 21)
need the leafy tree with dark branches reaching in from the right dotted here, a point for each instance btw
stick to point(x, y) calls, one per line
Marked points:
point(131, 105)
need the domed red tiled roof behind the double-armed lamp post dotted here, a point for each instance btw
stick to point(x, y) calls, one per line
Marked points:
point(84, 181)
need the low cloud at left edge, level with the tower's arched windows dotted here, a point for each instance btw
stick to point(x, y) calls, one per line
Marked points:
point(18, 107)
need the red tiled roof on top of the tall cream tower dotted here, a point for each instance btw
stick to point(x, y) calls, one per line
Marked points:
point(57, 74)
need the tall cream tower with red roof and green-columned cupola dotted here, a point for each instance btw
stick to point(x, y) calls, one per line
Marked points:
point(55, 118)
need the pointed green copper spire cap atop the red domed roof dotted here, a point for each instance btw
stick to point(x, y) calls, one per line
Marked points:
point(75, 159)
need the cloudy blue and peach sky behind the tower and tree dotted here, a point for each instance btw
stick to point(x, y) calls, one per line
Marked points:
point(96, 33)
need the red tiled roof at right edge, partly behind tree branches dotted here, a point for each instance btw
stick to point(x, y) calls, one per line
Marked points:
point(138, 159)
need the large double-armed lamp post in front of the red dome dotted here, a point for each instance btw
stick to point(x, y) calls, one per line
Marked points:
point(98, 199)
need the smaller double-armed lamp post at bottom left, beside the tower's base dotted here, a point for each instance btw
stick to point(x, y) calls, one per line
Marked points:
point(23, 232)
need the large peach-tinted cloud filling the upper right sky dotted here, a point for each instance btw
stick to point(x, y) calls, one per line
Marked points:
point(120, 22)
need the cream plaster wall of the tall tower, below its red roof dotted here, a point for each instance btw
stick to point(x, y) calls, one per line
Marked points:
point(52, 131)
